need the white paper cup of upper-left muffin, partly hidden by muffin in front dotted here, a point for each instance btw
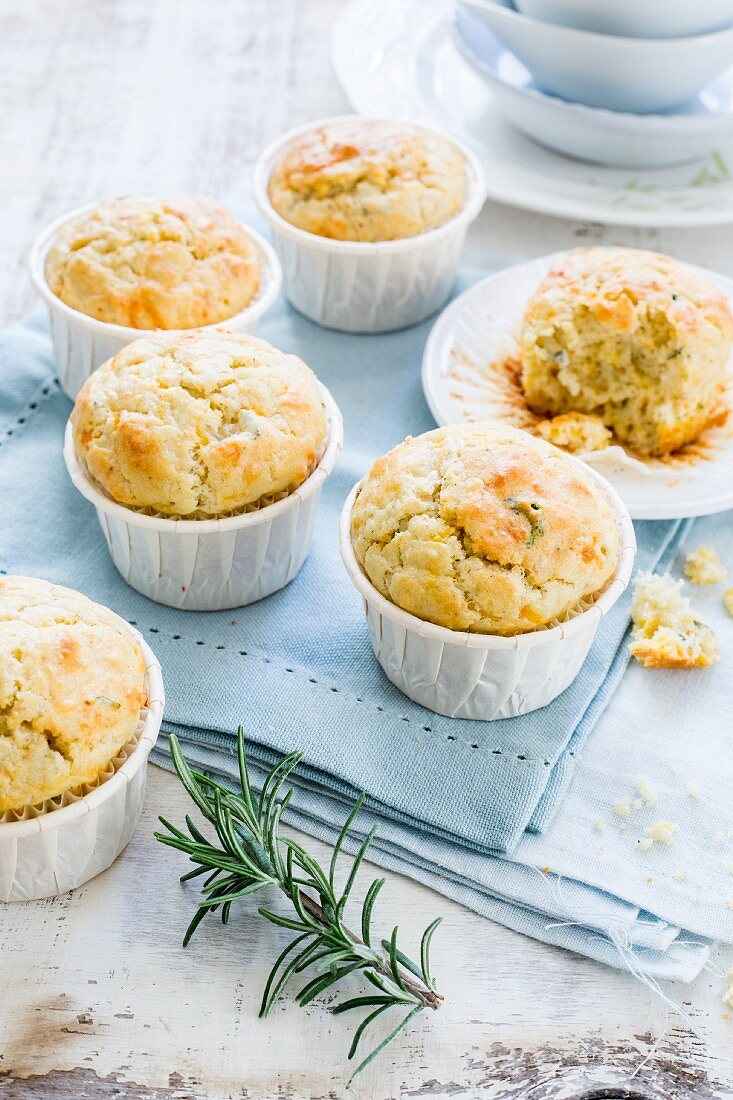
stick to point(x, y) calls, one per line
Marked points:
point(83, 344)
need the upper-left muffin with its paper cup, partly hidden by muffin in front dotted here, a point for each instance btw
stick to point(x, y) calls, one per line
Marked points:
point(113, 271)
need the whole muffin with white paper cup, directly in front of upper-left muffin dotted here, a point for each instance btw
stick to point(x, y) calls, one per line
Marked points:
point(204, 454)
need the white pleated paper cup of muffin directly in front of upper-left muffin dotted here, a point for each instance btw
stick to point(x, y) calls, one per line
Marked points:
point(213, 565)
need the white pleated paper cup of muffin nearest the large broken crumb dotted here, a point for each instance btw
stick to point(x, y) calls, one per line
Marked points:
point(480, 676)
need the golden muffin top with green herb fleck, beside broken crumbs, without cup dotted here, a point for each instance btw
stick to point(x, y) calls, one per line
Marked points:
point(484, 529)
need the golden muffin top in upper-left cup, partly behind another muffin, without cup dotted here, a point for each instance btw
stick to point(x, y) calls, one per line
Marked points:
point(149, 263)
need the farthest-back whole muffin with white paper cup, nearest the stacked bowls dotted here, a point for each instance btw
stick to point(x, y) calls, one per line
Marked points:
point(369, 217)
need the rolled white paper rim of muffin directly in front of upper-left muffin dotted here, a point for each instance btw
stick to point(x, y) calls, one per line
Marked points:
point(314, 482)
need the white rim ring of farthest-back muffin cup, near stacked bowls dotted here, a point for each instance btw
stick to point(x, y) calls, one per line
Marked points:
point(264, 168)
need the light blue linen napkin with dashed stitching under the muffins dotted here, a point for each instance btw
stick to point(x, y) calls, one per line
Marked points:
point(299, 672)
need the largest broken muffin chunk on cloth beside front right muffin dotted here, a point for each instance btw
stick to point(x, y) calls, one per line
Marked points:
point(668, 633)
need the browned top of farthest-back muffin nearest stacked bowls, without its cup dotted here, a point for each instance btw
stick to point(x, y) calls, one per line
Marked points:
point(356, 180)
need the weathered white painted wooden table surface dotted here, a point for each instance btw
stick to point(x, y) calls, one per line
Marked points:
point(97, 998)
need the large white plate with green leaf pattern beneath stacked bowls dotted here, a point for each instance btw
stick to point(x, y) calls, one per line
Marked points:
point(396, 58)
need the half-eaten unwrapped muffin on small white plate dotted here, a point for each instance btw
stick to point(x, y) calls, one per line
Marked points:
point(633, 337)
